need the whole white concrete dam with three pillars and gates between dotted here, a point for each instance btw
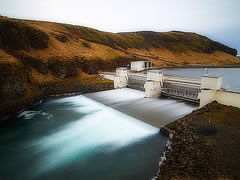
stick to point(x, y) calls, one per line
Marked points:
point(154, 83)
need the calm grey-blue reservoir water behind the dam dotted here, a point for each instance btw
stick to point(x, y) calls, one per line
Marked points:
point(231, 76)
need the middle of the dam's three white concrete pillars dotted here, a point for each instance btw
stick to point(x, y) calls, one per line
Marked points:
point(153, 84)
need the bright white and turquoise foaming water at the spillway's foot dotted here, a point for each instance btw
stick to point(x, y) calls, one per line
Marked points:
point(102, 126)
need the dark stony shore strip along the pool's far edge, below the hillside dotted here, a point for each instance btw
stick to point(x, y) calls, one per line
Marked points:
point(12, 107)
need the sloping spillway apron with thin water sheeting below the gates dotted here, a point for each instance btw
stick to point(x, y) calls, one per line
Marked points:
point(154, 111)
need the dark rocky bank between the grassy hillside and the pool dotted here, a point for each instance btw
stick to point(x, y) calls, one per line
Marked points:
point(88, 84)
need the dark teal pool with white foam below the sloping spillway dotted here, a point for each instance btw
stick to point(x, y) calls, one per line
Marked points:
point(76, 137)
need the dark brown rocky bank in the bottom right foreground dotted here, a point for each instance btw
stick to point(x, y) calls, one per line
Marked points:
point(205, 145)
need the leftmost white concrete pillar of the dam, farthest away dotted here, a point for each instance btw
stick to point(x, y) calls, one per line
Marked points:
point(121, 78)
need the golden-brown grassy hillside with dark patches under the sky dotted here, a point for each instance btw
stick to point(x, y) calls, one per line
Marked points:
point(35, 55)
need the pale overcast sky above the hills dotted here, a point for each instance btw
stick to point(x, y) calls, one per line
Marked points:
point(218, 19)
